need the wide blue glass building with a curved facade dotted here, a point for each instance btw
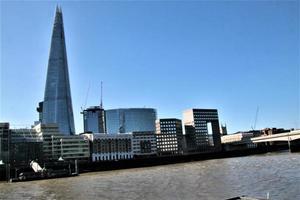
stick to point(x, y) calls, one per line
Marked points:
point(126, 120)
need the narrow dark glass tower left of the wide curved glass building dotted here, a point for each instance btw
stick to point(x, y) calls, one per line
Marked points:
point(94, 120)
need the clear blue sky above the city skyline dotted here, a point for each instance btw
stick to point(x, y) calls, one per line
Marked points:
point(170, 55)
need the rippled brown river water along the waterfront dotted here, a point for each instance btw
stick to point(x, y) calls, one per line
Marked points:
point(276, 173)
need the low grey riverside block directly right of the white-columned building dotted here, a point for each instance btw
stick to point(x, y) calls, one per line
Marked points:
point(144, 144)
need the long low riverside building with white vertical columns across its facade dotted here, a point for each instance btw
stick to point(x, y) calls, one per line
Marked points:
point(110, 147)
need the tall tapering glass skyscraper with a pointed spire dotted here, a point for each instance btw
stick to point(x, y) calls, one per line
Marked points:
point(57, 105)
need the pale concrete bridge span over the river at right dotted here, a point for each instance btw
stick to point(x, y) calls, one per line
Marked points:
point(280, 137)
